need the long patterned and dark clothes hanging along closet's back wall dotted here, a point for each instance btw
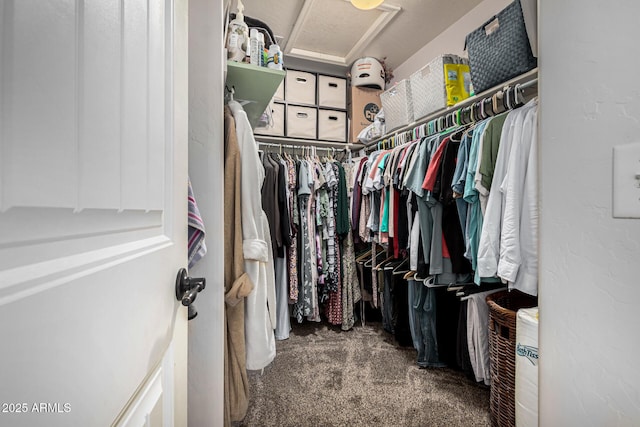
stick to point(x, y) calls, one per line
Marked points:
point(305, 198)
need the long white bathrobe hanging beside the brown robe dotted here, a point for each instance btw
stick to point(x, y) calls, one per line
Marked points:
point(258, 260)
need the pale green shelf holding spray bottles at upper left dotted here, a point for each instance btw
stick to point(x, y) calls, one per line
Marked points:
point(254, 87)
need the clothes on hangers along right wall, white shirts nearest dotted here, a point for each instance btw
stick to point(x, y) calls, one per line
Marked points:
point(460, 205)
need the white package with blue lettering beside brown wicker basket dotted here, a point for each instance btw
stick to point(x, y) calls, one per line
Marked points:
point(527, 367)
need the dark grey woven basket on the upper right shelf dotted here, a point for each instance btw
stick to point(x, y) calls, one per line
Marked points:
point(499, 50)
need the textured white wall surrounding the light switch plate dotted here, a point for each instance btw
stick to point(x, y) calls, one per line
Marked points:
point(589, 290)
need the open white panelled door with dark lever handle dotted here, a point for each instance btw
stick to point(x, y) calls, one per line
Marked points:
point(93, 174)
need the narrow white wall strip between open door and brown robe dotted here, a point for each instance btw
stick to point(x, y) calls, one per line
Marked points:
point(206, 169)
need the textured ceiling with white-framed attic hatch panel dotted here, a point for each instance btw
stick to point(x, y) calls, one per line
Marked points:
point(334, 32)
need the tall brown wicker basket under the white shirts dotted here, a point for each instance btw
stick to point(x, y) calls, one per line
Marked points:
point(503, 307)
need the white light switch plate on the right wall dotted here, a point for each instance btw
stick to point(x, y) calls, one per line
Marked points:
point(626, 181)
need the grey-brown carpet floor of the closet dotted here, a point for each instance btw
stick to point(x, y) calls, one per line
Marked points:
point(323, 376)
